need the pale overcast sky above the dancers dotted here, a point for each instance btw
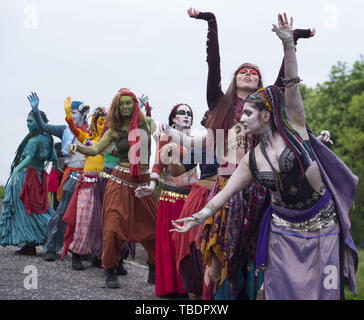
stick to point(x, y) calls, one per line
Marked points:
point(88, 49)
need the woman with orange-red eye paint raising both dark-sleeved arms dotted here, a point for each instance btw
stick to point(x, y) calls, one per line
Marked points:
point(220, 246)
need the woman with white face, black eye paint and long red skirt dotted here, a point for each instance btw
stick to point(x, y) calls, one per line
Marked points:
point(171, 201)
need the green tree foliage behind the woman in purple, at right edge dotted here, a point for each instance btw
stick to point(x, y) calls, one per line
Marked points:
point(337, 105)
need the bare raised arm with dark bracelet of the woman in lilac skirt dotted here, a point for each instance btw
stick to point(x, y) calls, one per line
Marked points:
point(293, 99)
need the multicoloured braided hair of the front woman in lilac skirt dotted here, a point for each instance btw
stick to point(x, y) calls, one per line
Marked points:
point(272, 99)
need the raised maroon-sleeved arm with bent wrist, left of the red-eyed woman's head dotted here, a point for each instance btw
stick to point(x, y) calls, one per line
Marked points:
point(213, 92)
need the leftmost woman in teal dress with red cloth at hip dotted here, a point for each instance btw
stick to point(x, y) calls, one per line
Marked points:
point(26, 211)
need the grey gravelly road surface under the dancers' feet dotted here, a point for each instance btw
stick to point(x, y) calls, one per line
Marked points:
point(57, 280)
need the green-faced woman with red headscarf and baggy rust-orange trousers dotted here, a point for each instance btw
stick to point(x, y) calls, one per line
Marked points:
point(126, 218)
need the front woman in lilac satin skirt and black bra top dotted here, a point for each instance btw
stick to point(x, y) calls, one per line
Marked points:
point(304, 241)
